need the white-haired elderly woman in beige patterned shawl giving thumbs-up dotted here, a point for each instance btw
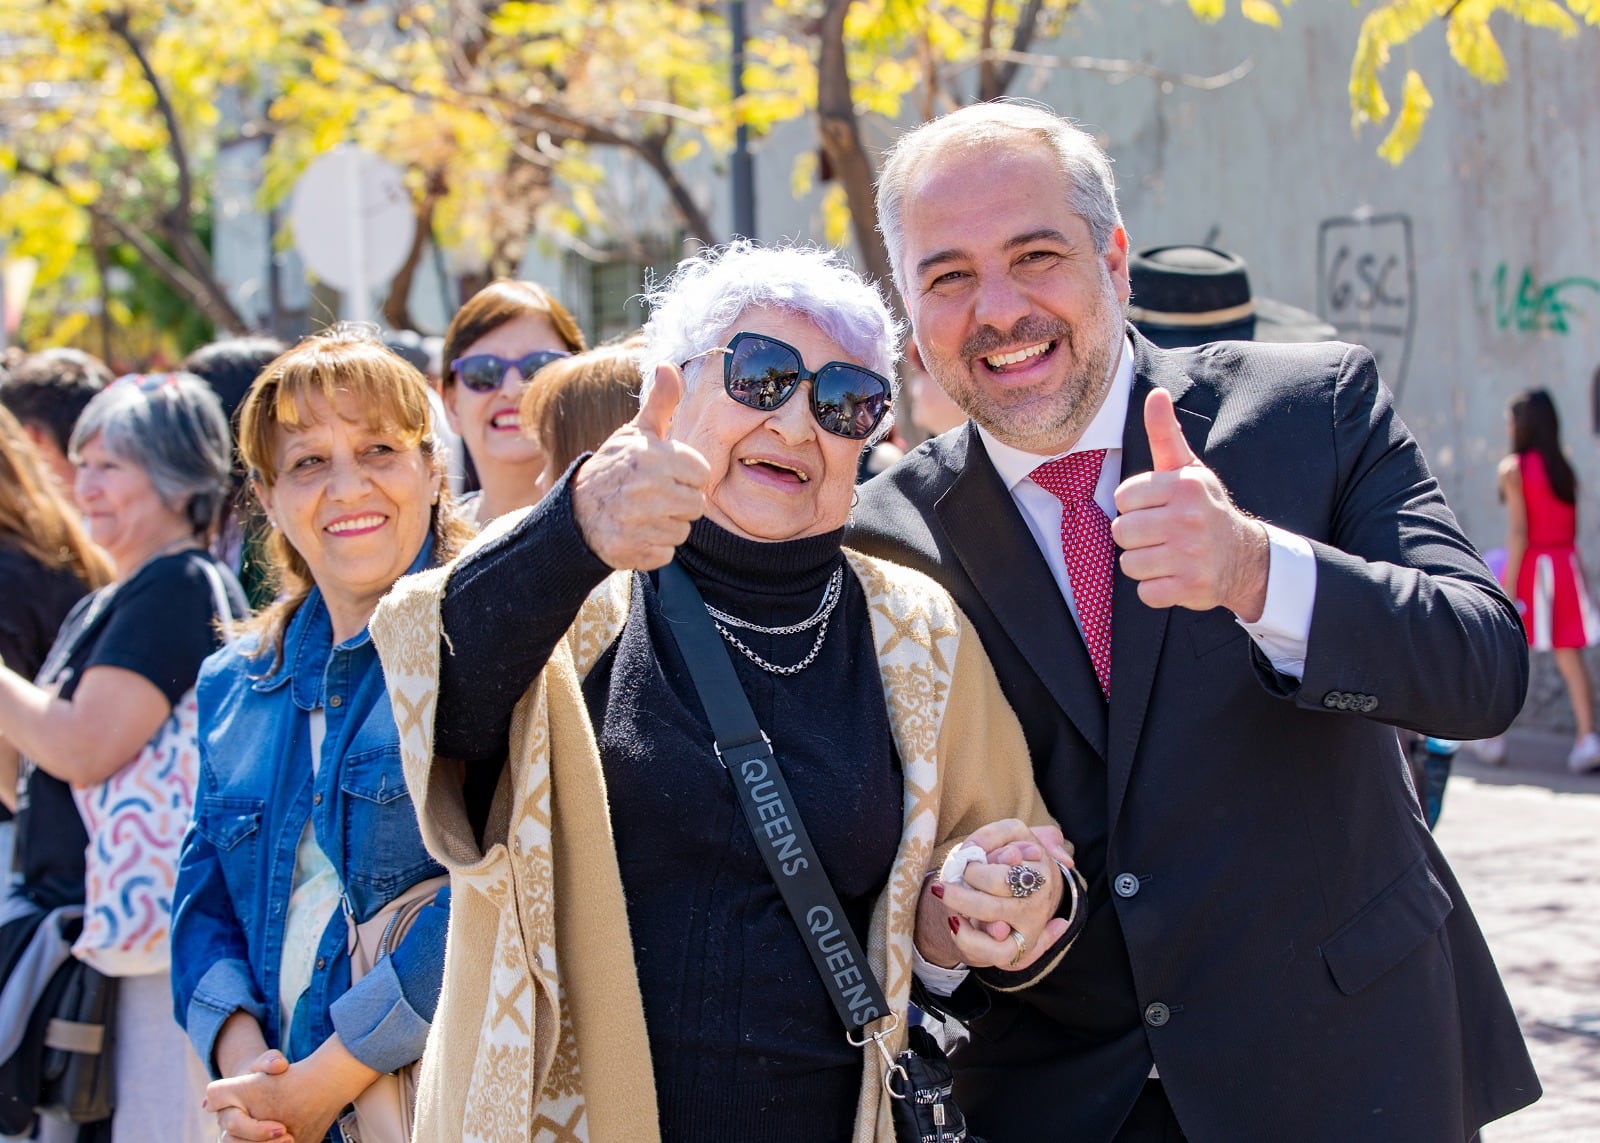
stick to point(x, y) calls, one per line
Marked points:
point(623, 961)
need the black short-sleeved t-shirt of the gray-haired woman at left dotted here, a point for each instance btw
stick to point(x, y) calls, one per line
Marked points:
point(159, 625)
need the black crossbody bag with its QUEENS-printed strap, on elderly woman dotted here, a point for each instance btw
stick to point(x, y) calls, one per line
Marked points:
point(918, 1080)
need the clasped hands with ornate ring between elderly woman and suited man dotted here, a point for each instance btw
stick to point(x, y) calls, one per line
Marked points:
point(972, 924)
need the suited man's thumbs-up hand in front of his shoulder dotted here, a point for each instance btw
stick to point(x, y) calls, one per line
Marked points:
point(1183, 540)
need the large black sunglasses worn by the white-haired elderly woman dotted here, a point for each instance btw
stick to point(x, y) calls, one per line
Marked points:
point(762, 372)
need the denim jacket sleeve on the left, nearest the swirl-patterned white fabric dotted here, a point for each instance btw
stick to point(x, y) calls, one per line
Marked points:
point(212, 976)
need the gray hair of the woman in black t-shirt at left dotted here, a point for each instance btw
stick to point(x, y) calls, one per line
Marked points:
point(172, 427)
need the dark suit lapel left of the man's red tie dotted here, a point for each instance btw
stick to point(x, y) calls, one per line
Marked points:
point(1001, 558)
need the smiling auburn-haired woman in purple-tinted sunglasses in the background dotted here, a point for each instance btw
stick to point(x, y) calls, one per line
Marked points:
point(505, 334)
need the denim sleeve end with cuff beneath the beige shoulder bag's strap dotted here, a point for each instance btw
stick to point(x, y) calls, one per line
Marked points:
point(385, 1019)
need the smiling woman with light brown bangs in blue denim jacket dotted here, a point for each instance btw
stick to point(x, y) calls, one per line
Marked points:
point(303, 824)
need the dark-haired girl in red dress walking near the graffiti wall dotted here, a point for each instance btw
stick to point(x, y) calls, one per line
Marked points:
point(1543, 571)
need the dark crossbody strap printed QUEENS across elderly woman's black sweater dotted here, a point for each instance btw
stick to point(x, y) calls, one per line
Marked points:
point(769, 809)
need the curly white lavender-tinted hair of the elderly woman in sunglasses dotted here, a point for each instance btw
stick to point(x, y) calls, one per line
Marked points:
point(708, 294)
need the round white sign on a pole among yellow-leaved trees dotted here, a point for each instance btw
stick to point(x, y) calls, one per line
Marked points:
point(353, 222)
